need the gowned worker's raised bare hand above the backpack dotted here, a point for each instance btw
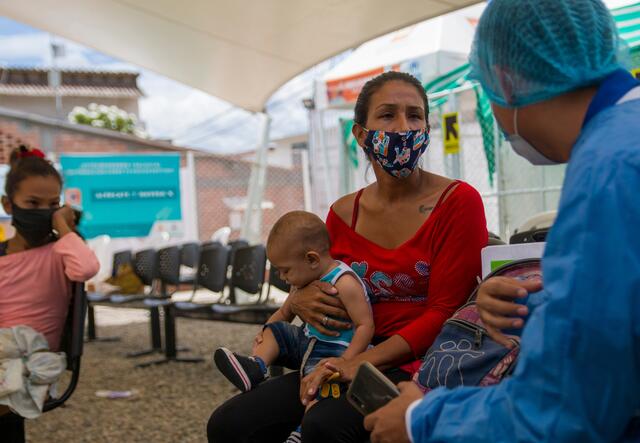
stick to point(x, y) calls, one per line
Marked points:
point(496, 305)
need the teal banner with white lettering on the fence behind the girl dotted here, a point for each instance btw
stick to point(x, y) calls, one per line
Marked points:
point(122, 195)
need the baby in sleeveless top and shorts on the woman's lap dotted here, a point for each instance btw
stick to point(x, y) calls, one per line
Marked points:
point(298, 246)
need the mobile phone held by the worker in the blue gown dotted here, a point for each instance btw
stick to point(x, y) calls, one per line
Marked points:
point(370, 389)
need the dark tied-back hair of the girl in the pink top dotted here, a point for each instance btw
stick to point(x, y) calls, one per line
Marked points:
point(27, 163)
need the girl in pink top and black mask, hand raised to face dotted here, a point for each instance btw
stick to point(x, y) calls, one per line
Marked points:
point(38, 264)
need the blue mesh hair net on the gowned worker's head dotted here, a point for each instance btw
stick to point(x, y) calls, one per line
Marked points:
point(527, 51)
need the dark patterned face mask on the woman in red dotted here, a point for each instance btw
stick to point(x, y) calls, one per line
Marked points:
point(397, 152)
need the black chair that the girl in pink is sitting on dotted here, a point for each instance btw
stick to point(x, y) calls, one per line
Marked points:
point(72, 345)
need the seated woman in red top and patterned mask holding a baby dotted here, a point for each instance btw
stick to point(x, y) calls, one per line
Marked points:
point(415, 239)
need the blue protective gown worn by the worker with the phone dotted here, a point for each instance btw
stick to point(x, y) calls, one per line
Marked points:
point(578, 377)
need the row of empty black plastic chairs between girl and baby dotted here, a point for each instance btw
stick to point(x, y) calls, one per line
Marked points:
point(217, 268)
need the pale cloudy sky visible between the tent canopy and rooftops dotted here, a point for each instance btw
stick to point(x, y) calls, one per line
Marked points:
point(170, 109)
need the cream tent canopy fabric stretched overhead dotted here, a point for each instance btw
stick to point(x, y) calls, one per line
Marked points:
point(239, 51)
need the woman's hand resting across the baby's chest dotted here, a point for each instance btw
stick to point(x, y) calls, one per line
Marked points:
point(316, 303)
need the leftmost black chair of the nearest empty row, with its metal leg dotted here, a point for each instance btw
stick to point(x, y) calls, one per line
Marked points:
point(211, 275)
